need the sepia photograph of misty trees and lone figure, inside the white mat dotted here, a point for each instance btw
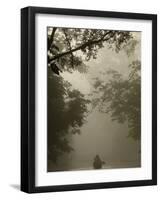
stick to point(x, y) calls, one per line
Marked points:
point(93, 99)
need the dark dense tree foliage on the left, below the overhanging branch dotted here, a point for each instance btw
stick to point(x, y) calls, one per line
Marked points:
point(66, 114)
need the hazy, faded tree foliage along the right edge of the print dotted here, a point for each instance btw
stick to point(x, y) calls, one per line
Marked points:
point(121, 98)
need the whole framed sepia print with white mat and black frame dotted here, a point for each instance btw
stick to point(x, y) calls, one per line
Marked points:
point(88, 99)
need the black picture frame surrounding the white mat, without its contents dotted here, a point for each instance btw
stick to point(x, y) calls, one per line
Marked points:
point(28, 98)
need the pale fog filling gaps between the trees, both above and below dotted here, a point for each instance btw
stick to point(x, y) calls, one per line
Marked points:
point(99, 134)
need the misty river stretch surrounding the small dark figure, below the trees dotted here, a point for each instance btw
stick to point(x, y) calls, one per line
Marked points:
point(99, 135)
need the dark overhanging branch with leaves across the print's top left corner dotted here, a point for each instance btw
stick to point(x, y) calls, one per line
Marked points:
point(71, 48)
